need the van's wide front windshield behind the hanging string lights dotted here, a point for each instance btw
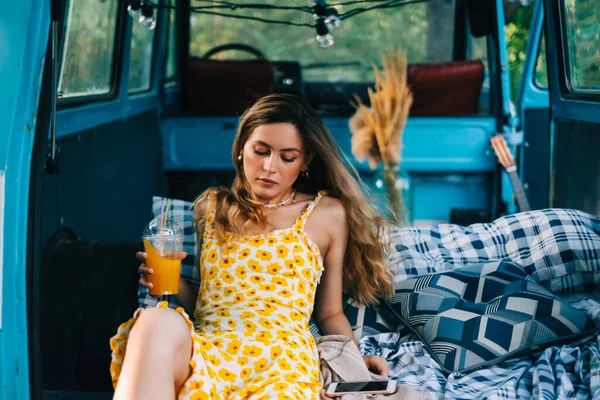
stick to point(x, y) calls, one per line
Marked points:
point(423, 30)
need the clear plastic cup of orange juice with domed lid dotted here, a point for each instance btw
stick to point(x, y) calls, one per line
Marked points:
point(162, 241)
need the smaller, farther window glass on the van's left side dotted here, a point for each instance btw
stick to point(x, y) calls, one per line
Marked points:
point(140, 67)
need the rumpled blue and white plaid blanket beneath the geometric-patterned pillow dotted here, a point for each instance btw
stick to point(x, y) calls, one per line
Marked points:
point(561, 372)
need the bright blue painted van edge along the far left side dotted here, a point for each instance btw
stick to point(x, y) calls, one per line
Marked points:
point(24, 27)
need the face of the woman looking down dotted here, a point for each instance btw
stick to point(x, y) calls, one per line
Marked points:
point(273, 157)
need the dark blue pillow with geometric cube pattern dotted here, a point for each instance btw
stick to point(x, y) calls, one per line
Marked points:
point(479, 315)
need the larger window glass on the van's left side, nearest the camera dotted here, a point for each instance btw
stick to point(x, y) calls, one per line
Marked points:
point(88, 52)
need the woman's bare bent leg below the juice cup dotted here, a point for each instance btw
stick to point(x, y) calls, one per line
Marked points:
point(157, 357)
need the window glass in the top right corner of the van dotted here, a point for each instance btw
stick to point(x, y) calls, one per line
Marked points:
point(583, 42)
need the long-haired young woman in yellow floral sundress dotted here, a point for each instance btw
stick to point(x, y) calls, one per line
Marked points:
point(292, 232)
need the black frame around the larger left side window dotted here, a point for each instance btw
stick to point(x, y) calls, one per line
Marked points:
point(118, 47)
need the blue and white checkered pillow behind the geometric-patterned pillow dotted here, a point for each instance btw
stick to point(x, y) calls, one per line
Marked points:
point(560, 248)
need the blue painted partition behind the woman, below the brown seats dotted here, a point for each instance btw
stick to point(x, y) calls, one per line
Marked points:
point(429, 144)
